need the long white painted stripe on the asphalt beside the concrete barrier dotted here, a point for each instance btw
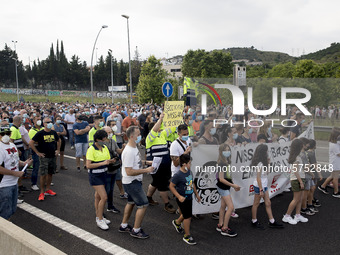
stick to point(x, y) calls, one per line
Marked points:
point(78, 232)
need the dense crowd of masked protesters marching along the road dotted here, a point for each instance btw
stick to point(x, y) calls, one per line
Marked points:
point(119, 143)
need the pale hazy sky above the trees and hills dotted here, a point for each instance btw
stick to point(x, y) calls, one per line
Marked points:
point(167, 28)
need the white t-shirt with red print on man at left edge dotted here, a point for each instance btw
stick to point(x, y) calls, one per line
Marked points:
point(10, 157)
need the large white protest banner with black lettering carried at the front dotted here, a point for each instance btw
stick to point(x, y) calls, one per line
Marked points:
point(204, 171)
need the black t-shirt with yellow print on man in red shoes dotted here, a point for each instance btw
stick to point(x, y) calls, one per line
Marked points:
point(47, 142)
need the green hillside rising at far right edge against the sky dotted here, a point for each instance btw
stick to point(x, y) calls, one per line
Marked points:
point(330, 54)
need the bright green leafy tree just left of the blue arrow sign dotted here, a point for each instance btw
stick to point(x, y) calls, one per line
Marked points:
point(151, 80)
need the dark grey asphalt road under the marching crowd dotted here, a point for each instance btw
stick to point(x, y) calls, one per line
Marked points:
point(74, 203)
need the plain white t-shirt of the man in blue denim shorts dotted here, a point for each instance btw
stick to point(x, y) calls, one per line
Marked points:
point(131, 158)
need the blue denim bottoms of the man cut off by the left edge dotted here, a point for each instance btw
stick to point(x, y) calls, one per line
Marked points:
point(8, 201)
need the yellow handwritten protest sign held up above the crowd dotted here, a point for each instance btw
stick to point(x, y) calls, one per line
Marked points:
point(173, 113)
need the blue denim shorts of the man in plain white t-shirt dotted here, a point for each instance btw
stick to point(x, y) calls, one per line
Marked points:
point(136, 194)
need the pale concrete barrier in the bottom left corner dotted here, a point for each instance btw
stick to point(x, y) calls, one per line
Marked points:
point(16, 241)
